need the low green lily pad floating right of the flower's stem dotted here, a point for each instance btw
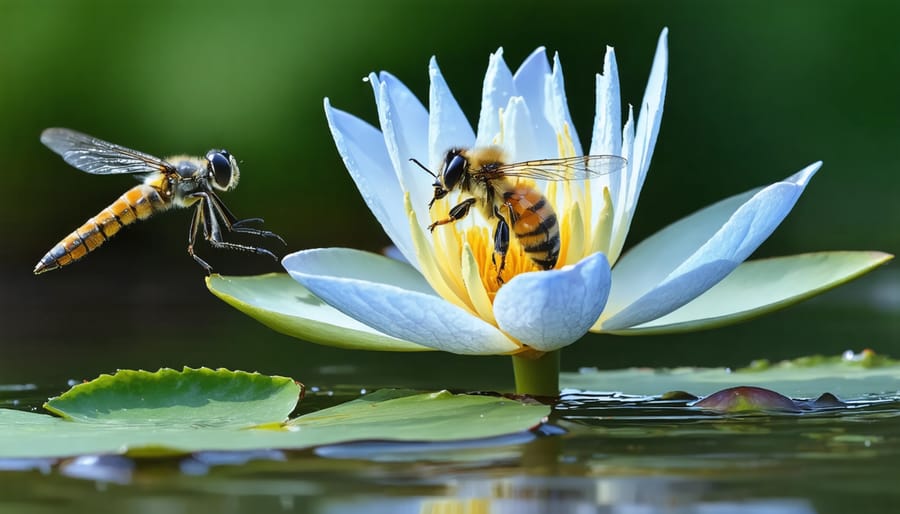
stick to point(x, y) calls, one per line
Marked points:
point(804, 378)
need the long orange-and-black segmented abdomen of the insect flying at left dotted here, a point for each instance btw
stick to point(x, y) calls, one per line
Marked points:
point(138, 203)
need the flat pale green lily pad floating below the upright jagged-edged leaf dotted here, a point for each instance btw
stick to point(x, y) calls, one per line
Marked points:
point(385, 415)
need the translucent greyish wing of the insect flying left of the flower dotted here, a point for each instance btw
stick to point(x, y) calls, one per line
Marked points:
point(97, 156)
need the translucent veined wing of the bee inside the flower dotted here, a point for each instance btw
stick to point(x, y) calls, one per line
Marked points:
point(566, 168)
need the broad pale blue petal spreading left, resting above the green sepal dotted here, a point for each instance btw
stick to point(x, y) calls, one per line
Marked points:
point(394, 299)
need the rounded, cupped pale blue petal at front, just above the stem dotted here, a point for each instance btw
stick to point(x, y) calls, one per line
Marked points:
point(551, 309)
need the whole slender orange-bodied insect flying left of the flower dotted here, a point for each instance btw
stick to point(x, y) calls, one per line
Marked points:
point(179, 181)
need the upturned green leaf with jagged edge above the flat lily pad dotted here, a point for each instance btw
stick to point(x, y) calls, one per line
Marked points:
point(211, 398)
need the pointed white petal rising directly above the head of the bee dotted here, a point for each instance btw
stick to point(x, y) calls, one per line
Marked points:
point(447, 124)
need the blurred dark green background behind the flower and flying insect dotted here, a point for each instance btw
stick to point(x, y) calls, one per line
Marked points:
point(757, 90)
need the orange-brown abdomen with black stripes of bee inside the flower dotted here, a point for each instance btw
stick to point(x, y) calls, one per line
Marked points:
point(535, 225)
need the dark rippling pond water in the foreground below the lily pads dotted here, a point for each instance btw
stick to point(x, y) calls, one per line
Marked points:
point(598, 454)
